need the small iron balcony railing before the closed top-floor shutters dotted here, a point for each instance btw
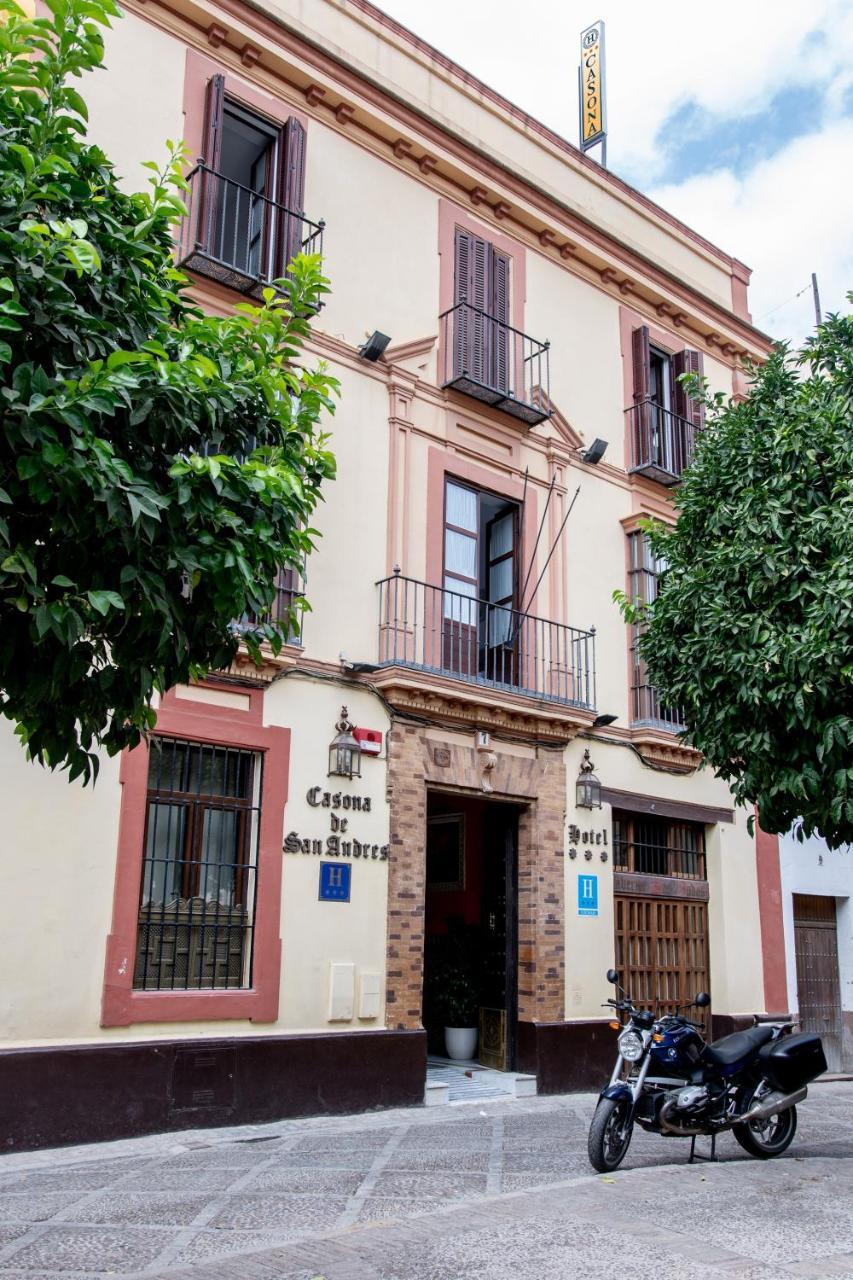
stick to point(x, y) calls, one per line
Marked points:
point(495, 364)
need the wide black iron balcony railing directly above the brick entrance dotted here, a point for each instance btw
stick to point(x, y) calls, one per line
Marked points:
point(450, 634)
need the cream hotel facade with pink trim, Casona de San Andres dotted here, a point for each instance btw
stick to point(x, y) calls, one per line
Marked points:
point(230, 927)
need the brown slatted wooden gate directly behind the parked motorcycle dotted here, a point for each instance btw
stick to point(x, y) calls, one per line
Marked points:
point(663, 952)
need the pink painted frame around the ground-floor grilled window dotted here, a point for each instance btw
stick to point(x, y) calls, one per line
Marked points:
point(121, 1004)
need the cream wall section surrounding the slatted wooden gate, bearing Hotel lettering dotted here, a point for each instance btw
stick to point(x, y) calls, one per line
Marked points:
point(737, 973)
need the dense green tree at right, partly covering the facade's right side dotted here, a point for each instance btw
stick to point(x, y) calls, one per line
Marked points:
point(752, 632)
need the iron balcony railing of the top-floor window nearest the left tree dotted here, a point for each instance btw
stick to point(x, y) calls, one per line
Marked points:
point(240, 237)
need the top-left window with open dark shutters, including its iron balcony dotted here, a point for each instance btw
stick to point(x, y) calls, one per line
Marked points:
point(247, 218)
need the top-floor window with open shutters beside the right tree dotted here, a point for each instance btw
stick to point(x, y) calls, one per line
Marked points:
point(663, 420)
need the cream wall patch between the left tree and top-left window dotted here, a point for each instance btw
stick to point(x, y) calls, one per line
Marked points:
point(136, 103)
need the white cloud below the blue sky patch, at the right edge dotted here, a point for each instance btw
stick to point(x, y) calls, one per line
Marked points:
point(787, 218)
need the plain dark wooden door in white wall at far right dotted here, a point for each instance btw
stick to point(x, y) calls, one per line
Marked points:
point(818, 981)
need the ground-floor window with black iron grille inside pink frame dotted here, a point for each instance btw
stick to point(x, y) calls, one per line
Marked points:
point(200, 868)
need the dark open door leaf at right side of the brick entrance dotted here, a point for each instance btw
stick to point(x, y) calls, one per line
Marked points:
point(499, 925)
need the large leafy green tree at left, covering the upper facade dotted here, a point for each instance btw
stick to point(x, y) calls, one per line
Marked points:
point(157, 465)
